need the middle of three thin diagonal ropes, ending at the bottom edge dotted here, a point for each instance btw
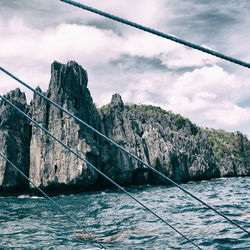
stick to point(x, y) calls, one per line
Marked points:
point(99, 171)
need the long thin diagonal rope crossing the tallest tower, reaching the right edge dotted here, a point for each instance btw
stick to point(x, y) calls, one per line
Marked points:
point(125, 151)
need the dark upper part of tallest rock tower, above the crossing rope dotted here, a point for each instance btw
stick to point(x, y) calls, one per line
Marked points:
point(68, 88)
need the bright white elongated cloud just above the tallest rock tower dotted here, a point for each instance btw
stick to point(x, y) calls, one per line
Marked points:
point(63, 42)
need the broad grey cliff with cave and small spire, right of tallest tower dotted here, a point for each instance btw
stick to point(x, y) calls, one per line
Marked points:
point(182, 153)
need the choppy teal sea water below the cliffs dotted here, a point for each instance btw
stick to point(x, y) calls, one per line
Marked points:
point(119, 223)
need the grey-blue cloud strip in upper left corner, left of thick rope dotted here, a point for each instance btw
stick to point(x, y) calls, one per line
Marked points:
point(43, 14)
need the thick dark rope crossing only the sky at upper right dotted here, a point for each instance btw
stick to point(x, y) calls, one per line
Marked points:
point(158, 33)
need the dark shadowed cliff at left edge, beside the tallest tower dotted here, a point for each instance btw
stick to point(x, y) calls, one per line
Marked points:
point(14, 142)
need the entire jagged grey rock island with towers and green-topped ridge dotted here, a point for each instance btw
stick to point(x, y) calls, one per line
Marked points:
point(168, 142)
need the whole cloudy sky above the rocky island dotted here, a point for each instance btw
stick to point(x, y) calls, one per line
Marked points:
point(142, 68)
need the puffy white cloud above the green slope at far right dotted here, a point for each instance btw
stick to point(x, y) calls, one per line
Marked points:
point(207, 94)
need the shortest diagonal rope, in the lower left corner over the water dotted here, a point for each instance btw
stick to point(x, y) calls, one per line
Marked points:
point(52, 201)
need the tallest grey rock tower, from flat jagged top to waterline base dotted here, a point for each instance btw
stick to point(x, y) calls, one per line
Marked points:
point(50, 163)
